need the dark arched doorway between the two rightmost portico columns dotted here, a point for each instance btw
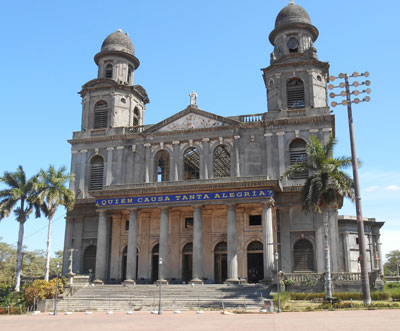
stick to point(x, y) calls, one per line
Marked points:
point(255, 262)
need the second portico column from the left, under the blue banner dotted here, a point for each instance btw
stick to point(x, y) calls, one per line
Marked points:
point(132, 243)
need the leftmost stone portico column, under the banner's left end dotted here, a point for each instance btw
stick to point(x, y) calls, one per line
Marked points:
point(101, 250)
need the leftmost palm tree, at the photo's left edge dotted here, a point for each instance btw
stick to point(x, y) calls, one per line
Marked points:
point(21, 197)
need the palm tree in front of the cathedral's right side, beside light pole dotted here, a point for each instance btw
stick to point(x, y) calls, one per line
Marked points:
point(324, 183)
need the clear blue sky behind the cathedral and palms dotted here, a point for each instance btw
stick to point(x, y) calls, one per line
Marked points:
point(215, 47)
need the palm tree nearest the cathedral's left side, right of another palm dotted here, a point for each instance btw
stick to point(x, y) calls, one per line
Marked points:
point(53, 194)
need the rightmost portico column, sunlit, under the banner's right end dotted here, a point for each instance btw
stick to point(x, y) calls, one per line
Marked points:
point(268, 238)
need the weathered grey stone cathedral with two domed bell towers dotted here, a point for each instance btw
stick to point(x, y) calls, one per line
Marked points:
point(200, 197)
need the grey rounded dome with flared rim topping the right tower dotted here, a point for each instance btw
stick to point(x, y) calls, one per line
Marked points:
point(293, 16)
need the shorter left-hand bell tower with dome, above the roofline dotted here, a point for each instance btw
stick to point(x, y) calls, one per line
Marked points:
point(112, 100)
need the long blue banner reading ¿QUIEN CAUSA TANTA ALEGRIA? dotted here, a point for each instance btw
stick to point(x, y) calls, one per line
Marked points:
point(185, 198)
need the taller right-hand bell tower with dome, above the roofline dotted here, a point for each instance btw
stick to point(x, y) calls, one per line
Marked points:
point(295, 79)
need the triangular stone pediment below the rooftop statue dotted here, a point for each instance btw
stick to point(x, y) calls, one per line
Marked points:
point(191, 118)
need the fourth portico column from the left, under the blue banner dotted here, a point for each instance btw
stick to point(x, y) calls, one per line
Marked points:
point(197, 245)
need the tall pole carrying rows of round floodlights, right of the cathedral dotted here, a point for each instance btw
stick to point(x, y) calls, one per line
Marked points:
point(360, 223)
